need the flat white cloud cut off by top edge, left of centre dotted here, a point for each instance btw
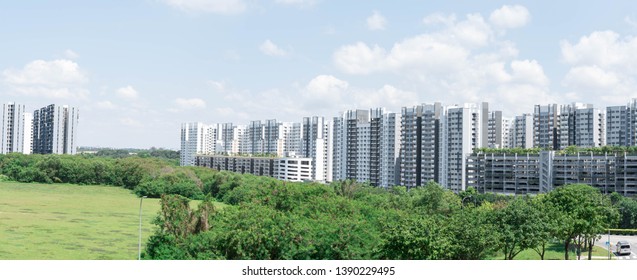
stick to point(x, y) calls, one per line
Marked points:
point(208, 6)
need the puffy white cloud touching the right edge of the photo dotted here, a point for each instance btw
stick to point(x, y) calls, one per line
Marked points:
point(603, 65)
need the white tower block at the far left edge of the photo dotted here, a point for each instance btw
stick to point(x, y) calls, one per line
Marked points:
point(15, 131)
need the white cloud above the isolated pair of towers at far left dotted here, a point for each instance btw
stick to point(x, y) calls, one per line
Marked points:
point(57, 79)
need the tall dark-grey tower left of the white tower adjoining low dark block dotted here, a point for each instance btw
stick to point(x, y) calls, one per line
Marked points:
point(420, 141)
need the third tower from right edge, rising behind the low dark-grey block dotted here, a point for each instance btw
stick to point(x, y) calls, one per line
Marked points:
point(546, 127)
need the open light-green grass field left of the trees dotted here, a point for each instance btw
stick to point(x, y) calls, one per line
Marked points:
point(69, 222)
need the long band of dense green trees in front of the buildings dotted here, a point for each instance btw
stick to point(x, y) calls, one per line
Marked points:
point(271, 219)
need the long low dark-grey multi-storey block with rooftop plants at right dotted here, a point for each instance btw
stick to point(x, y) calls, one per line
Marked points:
point(542, 172)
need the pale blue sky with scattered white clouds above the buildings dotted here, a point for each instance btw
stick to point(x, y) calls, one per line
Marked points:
point(137, 69)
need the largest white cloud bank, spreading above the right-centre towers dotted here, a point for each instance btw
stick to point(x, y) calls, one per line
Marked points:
point(458, 59)
